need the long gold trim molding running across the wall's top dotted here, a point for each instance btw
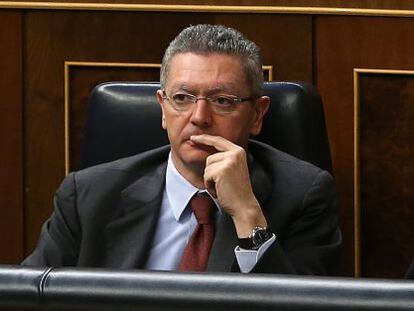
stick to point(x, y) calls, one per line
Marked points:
point(203, 8)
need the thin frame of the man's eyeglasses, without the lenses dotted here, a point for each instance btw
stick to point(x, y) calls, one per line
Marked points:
point(236, 100)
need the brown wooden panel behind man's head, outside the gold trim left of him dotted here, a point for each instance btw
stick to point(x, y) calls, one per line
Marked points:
point(53, 37)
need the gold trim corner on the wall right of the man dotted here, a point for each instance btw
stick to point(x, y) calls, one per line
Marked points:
point(357, 195)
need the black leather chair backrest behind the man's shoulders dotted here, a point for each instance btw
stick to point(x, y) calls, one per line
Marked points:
point(125, 119)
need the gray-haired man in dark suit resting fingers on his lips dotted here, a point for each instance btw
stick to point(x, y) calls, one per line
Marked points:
point(270, 212)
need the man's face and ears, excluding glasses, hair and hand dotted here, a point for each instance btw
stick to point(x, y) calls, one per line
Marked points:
point(207, 75)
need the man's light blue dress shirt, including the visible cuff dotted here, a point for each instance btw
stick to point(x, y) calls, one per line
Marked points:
point(177, 222)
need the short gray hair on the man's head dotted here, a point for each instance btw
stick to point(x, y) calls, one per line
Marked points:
point(205, 39)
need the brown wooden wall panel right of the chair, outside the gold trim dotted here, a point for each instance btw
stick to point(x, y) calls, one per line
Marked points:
point(342, 44)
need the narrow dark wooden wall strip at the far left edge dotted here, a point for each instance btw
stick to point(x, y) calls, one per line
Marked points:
point(11, 183)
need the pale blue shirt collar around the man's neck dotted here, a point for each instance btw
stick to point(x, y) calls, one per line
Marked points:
point(179, 190)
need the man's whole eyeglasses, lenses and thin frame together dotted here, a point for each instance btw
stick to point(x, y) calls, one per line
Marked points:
point(221, 103)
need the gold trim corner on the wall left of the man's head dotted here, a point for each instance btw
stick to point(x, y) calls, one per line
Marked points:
point(68, 65)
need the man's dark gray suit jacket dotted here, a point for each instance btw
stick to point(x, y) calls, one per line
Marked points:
point(106, 216)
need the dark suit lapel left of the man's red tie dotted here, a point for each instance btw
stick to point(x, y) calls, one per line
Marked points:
point(129, 237)
